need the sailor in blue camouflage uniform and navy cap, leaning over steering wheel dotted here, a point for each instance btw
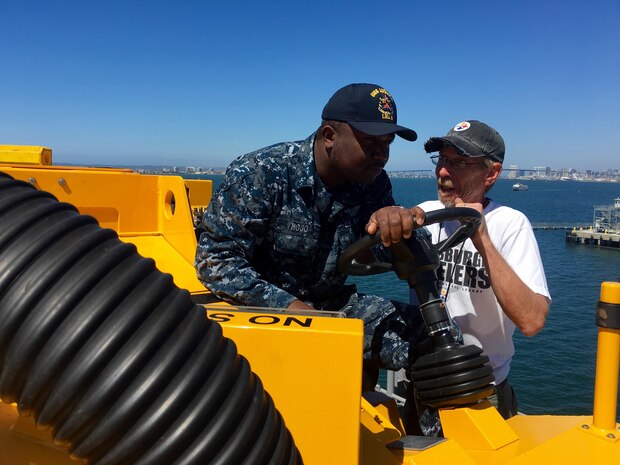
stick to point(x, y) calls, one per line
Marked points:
point(284, 214)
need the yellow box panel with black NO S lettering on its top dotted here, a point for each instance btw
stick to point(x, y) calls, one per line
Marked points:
point(311, 365)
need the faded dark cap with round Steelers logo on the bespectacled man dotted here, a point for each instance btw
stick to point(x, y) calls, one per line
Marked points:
point(471, 139)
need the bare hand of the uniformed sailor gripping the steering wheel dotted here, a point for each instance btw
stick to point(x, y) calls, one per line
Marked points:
point(395, 223)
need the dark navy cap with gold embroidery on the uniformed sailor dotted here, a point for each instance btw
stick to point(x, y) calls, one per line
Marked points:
point(369, 108)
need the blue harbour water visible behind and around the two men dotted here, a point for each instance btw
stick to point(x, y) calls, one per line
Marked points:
point(552, 372)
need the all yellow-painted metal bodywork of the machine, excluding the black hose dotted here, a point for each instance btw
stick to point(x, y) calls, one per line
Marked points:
point(309, 363)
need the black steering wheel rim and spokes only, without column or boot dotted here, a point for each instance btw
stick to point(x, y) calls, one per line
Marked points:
point(403, 251)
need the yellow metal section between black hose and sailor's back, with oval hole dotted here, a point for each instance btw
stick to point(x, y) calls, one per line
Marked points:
point(150, 211)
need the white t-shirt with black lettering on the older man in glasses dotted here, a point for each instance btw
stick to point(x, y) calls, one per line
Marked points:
point(469, 298)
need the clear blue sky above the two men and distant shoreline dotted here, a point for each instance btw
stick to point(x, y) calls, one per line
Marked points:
point(198, 83)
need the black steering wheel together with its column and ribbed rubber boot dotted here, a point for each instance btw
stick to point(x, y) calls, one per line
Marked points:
point(452, 374)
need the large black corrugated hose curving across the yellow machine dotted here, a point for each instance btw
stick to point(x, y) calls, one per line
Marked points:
point(107, 353)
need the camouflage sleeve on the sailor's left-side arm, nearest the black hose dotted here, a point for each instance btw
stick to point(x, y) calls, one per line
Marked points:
point(236, 222)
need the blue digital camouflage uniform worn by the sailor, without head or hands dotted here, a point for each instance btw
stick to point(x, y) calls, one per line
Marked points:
point(274, 233)
